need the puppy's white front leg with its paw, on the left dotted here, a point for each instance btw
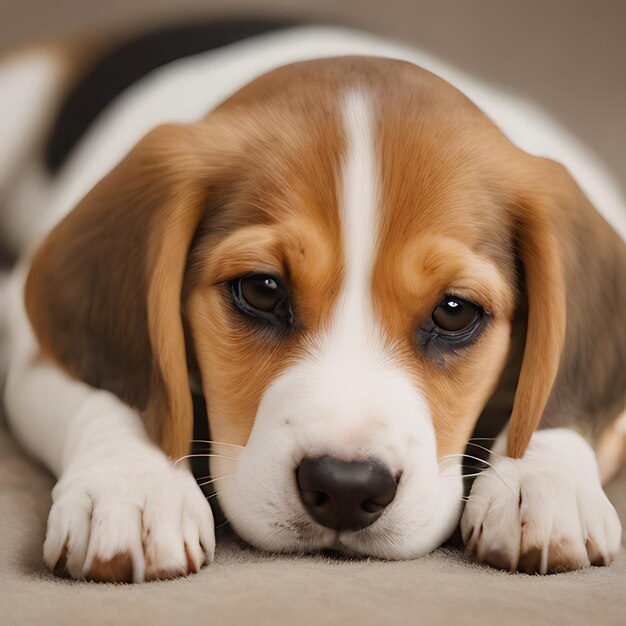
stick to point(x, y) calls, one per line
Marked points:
point(121, 510)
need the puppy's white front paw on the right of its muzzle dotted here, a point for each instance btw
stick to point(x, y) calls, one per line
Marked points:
point(540, 515)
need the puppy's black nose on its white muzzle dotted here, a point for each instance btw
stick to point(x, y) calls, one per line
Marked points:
point(345, 495)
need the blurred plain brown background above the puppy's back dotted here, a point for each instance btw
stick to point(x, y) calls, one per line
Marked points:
point(567, 55)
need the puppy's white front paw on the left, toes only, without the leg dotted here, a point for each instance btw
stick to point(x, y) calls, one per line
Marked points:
point(130, 522)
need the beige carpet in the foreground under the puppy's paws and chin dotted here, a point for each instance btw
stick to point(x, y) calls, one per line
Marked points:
point(247, 587)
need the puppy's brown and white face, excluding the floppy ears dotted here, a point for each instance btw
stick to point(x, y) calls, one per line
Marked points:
point(361, 313)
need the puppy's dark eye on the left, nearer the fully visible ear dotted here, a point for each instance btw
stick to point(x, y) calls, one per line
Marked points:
point(262, 296)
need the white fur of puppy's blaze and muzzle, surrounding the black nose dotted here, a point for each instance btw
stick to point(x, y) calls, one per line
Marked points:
point(349, 399)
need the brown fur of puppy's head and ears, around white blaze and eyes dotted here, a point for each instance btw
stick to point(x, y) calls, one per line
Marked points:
point(254, 188)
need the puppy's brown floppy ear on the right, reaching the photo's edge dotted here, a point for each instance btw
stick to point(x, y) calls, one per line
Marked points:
point(574, 266)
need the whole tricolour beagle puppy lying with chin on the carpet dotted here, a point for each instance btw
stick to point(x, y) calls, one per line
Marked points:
point(352, 252)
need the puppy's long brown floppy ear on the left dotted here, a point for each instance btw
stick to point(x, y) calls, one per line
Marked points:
point(104, 290)
